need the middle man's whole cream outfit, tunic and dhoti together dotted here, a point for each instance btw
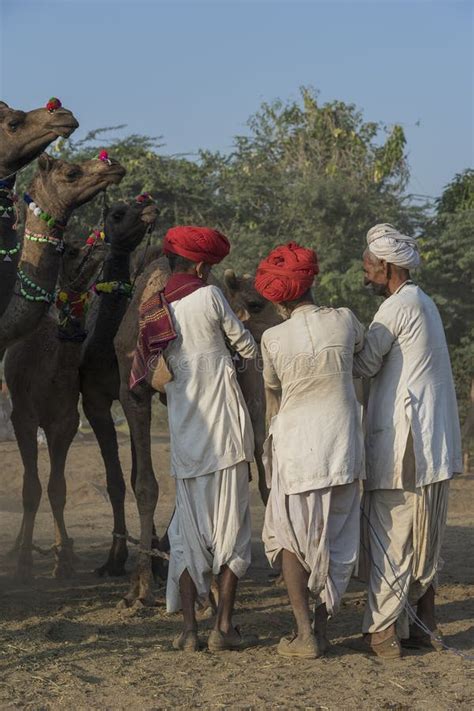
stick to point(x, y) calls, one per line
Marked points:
point(315, 449)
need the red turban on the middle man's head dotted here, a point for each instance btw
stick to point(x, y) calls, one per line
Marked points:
point(287, 273)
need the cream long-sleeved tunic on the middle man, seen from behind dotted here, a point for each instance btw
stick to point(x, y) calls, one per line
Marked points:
point(317, 433)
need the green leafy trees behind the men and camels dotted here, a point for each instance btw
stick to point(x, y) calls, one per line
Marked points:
point(312, 172)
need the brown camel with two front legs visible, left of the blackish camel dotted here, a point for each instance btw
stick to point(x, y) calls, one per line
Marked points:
point(42, 373)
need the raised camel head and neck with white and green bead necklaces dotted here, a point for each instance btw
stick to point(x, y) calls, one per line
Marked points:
point(57, 189)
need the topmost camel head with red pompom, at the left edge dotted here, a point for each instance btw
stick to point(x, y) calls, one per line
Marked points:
point(25, 134)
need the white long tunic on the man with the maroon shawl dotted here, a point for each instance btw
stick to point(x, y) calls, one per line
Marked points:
point(210, 427)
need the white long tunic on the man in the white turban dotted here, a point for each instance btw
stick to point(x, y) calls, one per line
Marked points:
point(405, 353)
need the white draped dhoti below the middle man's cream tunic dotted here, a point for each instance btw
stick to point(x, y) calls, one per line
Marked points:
point(321, 528)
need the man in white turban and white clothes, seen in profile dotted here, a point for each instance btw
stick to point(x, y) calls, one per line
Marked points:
point(413, 447)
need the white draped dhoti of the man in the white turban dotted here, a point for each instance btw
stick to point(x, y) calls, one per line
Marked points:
point(402, 533)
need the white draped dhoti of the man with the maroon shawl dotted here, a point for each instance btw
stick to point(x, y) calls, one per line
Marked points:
point(210, 528)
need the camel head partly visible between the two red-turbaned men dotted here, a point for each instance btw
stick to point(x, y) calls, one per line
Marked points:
point(257, 313)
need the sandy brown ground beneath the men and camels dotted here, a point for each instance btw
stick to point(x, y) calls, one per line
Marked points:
point(65, 644)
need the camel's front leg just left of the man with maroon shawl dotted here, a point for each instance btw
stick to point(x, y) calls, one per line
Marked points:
point(137, 410)
